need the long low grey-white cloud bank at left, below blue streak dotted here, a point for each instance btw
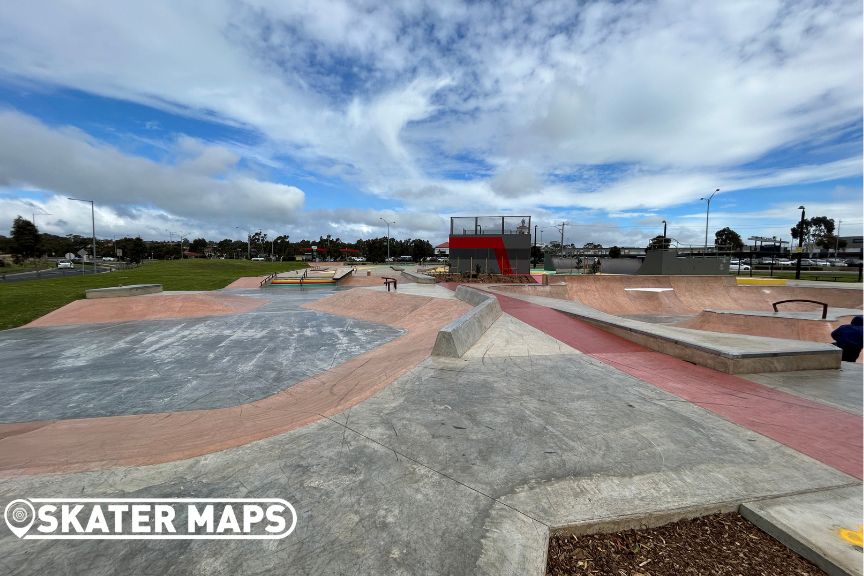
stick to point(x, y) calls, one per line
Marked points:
point(69, 162)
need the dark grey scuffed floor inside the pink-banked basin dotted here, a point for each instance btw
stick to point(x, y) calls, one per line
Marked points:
point(169, 365)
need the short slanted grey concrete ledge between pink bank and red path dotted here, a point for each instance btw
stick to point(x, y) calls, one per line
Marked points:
point(456, 338)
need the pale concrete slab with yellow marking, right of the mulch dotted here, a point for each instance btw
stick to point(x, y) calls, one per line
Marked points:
point(813, 525)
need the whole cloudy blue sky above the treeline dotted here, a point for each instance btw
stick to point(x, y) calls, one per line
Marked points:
point(220, 118)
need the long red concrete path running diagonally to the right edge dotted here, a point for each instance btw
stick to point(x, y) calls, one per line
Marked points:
point(827, 434)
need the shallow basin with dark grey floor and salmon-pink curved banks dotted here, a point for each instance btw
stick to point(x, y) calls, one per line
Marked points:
point(40, 434)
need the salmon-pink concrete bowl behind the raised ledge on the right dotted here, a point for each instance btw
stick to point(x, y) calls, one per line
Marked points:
point(708, 303)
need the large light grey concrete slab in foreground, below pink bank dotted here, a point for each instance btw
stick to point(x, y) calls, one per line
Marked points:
point(460, 467)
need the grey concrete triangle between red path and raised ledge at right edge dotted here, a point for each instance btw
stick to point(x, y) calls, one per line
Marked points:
point(839, 388)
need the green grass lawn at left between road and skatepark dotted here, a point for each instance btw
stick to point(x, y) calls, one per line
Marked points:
point(22, 302)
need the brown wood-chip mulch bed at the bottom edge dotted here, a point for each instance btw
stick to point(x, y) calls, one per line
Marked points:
point(721, 544)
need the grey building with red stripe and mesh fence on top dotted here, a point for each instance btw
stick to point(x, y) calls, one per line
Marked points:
point(490, 244)
